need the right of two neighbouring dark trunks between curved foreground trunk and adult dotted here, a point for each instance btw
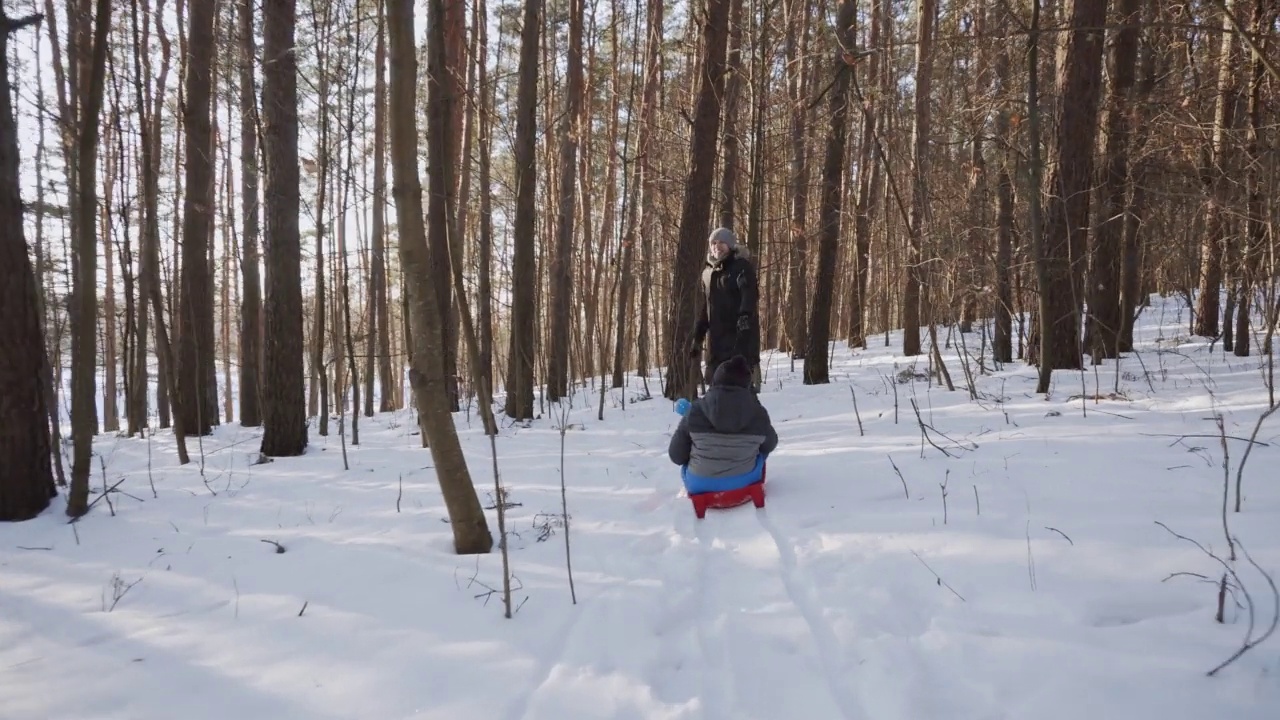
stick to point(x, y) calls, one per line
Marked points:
point(563, 262)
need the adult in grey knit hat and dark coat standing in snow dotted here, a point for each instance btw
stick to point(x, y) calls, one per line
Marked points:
point(732, 315)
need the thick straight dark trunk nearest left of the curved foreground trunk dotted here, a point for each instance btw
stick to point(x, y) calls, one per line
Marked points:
point(285, 421)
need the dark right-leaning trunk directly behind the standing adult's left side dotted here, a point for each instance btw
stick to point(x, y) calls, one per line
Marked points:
point(697, 207)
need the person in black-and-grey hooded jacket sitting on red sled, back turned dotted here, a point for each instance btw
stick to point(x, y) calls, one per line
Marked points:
point(721, 444)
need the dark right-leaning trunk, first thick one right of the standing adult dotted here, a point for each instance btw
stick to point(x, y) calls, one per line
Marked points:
point(816, 358)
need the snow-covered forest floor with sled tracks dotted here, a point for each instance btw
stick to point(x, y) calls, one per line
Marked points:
point(1021, 573)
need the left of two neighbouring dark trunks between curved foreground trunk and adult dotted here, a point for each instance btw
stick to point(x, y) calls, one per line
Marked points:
point(524, 270)
